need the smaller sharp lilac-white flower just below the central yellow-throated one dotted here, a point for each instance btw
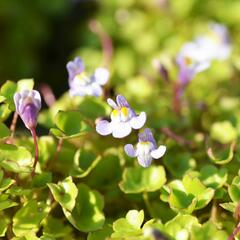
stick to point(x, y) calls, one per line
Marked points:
point(146, 149)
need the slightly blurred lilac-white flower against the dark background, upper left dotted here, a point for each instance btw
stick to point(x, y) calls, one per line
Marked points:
point(81, 84)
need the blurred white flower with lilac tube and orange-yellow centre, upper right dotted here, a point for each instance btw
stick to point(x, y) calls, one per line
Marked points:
point(191, 60)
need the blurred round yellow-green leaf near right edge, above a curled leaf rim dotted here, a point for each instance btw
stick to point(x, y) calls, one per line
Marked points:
point(223, 132)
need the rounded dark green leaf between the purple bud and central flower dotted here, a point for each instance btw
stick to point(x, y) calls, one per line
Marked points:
point(70, 124)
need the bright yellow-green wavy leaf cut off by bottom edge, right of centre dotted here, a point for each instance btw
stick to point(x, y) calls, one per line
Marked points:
point(180, 227)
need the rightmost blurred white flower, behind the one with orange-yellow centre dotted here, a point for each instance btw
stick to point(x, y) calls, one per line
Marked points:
point(216, 44)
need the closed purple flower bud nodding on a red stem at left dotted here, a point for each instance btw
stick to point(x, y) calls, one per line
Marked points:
point(28, 104)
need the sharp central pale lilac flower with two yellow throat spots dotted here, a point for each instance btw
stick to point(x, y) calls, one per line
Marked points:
point(123, 119)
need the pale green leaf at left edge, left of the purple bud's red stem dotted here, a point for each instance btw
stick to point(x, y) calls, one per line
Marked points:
point(15, 159)
